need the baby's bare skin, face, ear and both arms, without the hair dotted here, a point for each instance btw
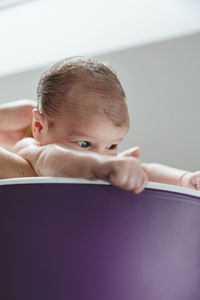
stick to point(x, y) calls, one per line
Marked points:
point(63, 152)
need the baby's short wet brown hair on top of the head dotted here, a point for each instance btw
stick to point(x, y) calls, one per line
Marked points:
point(83, 87)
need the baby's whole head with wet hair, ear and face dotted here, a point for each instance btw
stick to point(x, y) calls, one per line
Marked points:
point(81, 104)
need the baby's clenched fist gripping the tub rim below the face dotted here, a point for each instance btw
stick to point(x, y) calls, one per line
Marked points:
point(124, 172)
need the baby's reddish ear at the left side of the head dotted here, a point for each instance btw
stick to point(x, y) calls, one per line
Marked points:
point(38, 125)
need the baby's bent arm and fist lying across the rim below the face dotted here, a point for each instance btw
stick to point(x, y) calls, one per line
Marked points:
point(57, 160)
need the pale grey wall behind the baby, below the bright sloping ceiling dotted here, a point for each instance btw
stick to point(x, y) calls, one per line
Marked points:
point(161, 82)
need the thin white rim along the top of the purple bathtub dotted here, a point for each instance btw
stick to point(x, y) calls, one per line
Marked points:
point(61, 180)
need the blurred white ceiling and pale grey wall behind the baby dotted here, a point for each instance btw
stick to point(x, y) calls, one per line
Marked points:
point(154, 45)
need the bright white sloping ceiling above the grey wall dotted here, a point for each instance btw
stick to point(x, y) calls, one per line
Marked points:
point(36, 33)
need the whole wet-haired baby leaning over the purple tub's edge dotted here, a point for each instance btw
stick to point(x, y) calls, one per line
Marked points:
point(80, 120)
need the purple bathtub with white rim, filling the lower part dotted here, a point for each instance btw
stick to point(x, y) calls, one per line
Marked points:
point(63, 239)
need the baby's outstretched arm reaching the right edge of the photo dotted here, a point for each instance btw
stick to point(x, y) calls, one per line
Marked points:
point(168, 175)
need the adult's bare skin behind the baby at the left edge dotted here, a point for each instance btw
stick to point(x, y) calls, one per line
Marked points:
point(15, 117)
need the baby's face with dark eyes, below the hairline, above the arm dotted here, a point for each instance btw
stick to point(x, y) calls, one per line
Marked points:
point(98, 135)
